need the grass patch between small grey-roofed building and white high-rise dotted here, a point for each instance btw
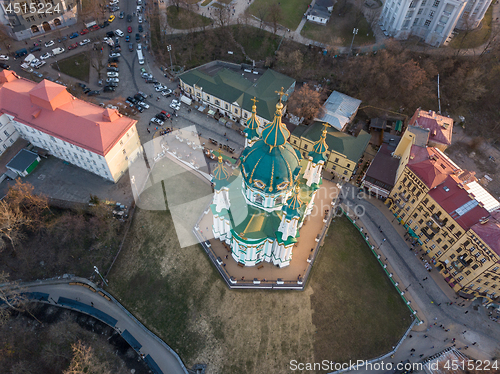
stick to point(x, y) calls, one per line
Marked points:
point(338, 30)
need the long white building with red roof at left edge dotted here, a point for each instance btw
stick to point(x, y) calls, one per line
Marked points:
point(98, 140)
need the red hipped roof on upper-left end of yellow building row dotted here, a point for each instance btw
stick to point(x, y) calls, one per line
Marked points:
point(430, 165)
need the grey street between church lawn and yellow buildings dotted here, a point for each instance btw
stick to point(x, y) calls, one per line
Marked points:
point(431, 295)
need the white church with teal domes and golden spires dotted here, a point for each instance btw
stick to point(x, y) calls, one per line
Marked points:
point(260, 208)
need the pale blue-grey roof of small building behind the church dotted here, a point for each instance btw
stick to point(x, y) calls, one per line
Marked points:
point(338, 109)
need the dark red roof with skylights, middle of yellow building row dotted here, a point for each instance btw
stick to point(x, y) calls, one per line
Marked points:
point(451, 197)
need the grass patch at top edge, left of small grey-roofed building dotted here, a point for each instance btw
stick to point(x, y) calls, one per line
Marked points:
point(292, 10)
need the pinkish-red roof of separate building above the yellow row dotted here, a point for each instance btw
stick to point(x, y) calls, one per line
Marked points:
point(440, 127)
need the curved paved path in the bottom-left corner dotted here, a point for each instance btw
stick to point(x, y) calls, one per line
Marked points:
point(80, 298)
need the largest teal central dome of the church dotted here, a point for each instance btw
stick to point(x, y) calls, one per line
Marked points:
point(270, 169)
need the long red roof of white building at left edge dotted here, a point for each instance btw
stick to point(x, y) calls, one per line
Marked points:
point(48, 107)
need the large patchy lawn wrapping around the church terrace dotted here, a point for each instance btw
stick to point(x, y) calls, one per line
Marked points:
point(349, 309)
